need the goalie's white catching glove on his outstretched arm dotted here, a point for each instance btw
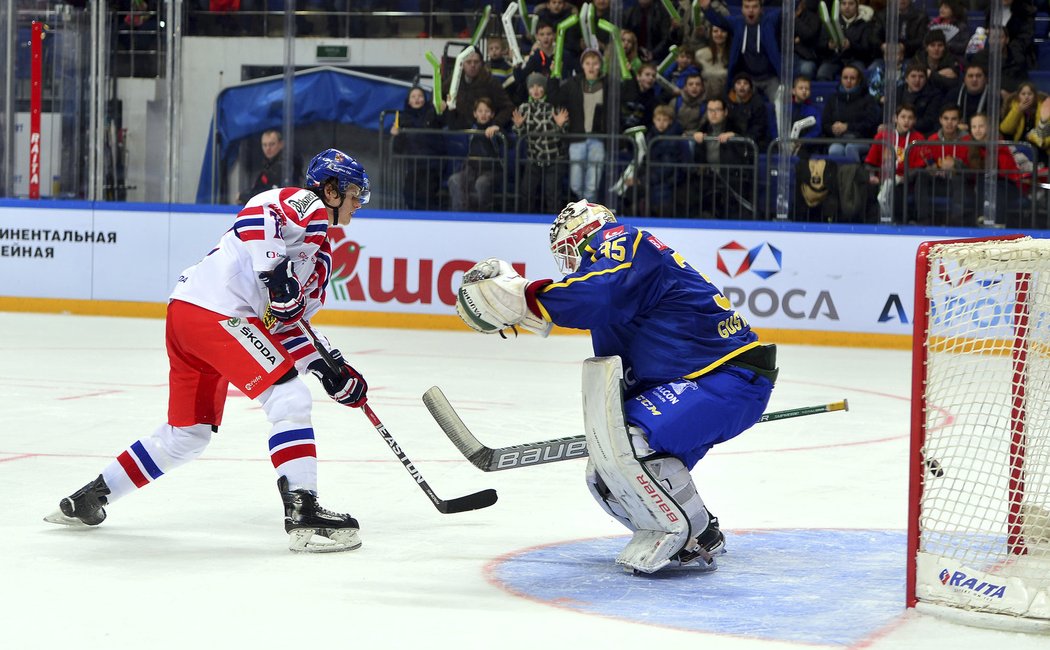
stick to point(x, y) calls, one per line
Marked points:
point(493, 298)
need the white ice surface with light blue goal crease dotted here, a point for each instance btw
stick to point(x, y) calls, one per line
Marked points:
point(814, 509)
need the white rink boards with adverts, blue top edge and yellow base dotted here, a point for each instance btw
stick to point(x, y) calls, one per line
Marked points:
point(795, 283)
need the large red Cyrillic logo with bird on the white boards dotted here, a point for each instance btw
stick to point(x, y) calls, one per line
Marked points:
point(356, 279)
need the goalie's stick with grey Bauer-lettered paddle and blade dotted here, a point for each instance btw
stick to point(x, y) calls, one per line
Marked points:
point(489, 459)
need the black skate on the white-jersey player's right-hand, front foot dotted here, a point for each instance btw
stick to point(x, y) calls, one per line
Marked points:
point(312, 529)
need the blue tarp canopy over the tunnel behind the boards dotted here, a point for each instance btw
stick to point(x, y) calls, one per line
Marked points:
point(324, 95)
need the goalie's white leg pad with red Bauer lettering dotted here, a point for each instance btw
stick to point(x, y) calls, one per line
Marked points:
point(644, 487)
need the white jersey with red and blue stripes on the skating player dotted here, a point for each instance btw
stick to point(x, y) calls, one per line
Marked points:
point(280, 223)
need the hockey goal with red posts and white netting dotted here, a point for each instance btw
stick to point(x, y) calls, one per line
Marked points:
point(979, 532)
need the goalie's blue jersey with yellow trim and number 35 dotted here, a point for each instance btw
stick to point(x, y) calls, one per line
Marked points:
point(642, 302)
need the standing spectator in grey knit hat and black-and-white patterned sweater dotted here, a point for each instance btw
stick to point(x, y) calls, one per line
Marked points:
point(542, 127)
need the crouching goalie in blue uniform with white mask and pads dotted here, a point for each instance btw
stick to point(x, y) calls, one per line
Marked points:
point(677, 371)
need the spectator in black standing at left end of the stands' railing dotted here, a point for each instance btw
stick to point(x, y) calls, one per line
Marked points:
point(423, 153)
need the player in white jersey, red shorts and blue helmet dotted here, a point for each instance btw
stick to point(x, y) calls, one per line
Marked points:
point(234, 319)
